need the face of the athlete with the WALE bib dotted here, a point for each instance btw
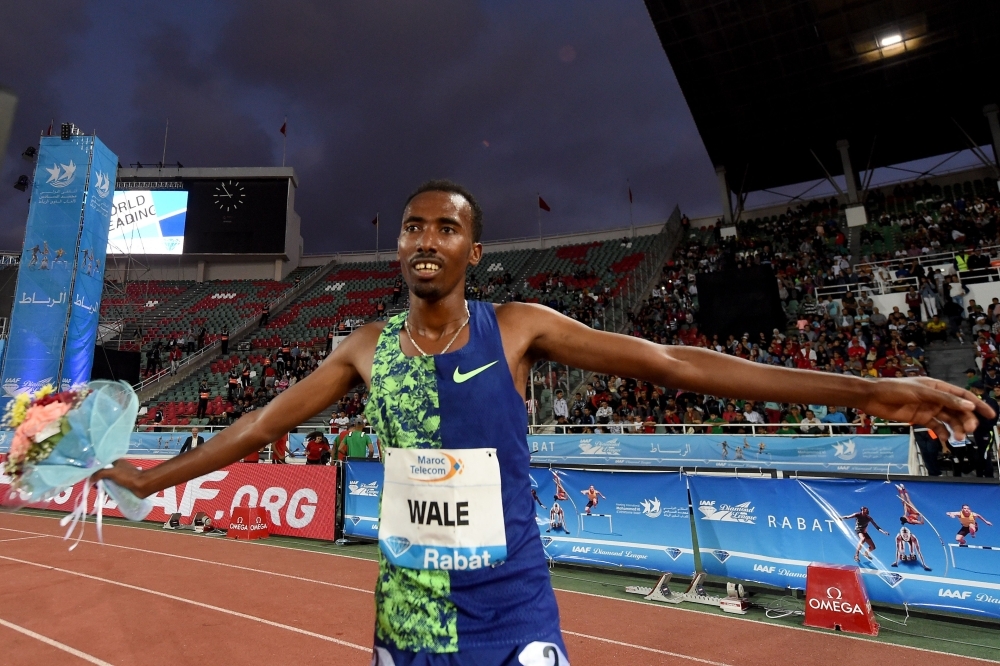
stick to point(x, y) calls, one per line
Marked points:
point(436, 244)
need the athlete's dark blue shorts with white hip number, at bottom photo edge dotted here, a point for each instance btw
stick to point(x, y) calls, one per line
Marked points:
point(547, 652)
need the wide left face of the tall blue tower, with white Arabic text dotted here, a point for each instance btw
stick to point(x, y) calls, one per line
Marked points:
point(45, 274)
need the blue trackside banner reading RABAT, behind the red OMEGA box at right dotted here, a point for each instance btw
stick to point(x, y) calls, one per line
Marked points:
point(919, 543)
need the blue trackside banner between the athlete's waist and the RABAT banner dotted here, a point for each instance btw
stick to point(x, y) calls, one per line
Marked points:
point(636, 520)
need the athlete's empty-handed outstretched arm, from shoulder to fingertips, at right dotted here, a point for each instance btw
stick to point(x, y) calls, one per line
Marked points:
point(922, 401)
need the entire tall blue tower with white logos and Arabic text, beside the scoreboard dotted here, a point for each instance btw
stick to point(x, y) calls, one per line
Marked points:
point(61, 276)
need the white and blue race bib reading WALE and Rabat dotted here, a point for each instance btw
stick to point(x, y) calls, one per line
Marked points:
point(442, 509)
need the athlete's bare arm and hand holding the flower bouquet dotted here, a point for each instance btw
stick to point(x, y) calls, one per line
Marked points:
point(327, 384)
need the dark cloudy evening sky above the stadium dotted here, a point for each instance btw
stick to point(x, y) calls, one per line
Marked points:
point(508, 98)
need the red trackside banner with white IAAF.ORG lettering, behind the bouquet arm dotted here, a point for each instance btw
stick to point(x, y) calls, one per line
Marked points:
point(300, 500)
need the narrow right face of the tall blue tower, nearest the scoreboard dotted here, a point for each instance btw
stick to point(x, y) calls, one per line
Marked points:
point(89, 278)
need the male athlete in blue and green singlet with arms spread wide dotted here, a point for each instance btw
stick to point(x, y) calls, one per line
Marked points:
point(424, 398)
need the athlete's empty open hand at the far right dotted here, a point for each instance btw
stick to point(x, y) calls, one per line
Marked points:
point(928, 402)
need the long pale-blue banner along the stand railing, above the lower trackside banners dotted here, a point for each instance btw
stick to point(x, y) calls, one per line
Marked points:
point(860, 454)
